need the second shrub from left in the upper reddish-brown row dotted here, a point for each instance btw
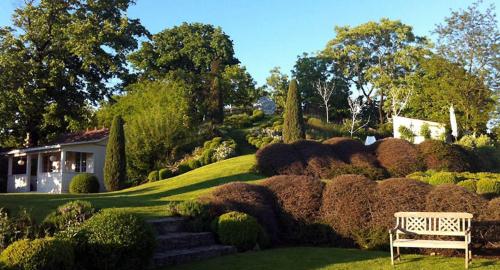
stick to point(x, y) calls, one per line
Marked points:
point(319, 158)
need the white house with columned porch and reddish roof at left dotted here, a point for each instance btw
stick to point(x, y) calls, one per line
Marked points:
point(50, 168)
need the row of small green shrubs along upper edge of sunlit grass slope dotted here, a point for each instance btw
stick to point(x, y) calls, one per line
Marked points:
point(213, 150)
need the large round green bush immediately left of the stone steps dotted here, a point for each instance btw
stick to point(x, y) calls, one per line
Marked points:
point(117, 240)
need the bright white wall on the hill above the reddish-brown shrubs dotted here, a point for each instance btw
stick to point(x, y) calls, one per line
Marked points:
point(415, 125)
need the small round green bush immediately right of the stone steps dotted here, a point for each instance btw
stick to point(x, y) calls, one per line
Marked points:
point(238, 229)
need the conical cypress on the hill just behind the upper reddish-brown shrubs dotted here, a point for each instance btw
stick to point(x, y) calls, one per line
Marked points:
point(293, 125)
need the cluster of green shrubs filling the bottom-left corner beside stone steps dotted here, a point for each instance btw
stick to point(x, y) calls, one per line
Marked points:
point(76, 236)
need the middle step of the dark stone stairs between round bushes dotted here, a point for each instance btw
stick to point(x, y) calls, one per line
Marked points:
point(183, 240)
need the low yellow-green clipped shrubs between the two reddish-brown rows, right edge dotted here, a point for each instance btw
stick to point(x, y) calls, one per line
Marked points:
point(483, 183)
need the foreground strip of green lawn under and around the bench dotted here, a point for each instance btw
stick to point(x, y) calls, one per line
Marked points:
point(302, 258)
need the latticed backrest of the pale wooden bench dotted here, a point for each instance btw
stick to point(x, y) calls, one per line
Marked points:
point(434, 223)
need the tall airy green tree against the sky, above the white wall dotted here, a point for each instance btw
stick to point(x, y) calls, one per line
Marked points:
point(376, 57)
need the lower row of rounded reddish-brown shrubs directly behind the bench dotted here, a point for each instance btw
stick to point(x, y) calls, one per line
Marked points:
point(347, 211)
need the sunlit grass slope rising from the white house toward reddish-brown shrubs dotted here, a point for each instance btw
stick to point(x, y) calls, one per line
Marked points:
point(149, 199)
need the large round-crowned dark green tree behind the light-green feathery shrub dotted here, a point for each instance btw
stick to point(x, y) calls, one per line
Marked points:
point(201, 51)
